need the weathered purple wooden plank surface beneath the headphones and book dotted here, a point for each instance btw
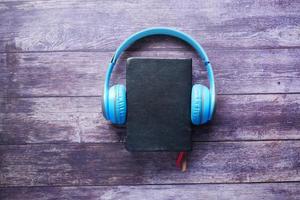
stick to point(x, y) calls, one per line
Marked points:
point(55, 144)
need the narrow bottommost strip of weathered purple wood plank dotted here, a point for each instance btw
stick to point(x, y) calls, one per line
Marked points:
point(270, 191)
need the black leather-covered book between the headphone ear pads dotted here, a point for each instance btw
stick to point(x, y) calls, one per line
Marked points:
point(158, 100)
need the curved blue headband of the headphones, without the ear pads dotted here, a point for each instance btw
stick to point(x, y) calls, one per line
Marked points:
point(161, 31)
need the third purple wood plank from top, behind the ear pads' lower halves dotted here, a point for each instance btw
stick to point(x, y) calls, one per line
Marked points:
point(79, 120)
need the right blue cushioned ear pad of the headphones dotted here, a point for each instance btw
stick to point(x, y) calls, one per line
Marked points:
point(200, 104)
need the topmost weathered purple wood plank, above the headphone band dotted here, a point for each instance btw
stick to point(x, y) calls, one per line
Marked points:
point(81, 25)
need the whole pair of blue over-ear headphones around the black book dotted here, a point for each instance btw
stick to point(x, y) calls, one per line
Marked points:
point(114, 105)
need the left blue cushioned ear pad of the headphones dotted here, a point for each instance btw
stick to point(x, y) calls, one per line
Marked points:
point(117, 104)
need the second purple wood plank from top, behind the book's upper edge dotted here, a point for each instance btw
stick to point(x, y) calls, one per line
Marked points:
point(82, 73)
